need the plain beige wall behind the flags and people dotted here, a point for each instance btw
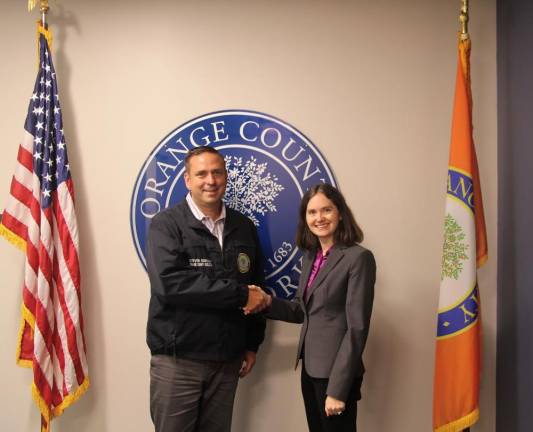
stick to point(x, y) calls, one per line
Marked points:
point(370, 82)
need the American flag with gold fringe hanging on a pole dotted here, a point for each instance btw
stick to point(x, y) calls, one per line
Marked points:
point(39, 218)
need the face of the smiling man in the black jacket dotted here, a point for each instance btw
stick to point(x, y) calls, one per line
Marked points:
point(206, 179)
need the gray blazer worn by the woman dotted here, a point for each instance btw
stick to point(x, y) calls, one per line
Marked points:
point(335, 316)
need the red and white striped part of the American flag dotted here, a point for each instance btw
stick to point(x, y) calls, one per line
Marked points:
point(51, 291)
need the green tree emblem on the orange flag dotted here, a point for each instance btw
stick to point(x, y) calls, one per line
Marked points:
point(454, 249)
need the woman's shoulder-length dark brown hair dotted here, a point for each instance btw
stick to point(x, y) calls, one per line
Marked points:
point(348, 233)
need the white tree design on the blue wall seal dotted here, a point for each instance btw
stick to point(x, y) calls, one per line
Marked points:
point(250, 189)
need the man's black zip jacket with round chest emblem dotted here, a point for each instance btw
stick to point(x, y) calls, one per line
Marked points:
point(197, 289)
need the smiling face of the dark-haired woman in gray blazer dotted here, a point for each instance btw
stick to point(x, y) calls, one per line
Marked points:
point(322, 217)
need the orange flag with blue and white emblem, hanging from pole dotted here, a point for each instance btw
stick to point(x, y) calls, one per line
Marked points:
point(457, 359)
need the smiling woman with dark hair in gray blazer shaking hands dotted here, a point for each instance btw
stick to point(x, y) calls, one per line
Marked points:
point(334, 303)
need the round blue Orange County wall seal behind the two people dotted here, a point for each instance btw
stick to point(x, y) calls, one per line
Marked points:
point(270, 166)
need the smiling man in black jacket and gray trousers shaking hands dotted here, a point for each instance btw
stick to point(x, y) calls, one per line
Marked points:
point(203, 259)
